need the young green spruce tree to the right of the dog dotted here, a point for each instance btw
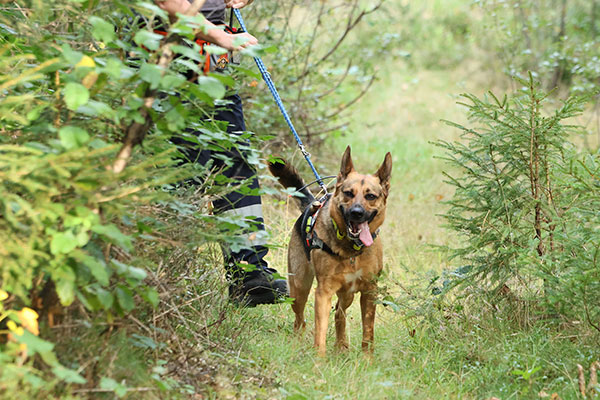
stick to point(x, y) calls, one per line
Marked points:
point(526, 202)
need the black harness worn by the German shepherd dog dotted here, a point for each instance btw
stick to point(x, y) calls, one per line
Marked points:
point(305, 227)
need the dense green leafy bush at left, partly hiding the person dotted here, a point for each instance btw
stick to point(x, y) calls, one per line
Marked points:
point(82, 83)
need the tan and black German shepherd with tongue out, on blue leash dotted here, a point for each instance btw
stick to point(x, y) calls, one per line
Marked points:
point(336, 242)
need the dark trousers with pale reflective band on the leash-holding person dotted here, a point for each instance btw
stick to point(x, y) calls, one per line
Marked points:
point(235, 203)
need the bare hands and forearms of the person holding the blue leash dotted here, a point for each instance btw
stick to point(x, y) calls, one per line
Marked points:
point(213, 34)
